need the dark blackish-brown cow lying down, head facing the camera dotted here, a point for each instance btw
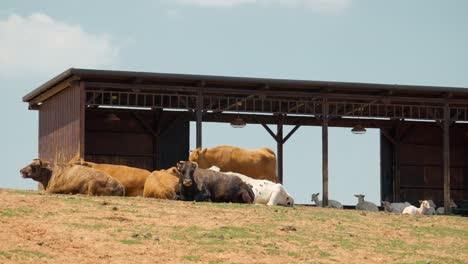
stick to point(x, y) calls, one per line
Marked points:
point(200, 185)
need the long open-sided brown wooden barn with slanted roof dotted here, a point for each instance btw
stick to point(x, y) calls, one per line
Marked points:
point(142, 119)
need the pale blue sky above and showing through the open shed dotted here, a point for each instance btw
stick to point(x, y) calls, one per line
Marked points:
point(403, 42)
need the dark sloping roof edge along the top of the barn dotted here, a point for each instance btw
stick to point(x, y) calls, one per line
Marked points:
point(248, 83)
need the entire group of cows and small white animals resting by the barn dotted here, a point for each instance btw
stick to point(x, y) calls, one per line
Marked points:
point(220, 174)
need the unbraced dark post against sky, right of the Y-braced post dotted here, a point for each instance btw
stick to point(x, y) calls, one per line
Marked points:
point(325, 153)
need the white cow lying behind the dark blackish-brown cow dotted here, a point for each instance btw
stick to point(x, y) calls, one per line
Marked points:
point(266, 192)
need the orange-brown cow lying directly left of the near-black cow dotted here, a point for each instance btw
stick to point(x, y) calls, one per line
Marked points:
point(162, 184)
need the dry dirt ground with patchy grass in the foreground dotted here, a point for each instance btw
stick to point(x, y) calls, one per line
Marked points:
point(45, 228)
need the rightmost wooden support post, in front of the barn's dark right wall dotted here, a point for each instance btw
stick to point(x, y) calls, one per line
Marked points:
point(446, 161)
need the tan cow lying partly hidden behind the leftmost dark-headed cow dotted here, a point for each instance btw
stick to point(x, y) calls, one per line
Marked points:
point(133, 179)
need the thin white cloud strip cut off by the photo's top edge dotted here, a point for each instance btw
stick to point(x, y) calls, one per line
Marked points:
point(314, 5)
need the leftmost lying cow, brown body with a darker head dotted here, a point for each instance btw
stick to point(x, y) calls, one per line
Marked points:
point(72, 179)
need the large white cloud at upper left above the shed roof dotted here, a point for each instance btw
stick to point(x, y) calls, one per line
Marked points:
point(40, 45)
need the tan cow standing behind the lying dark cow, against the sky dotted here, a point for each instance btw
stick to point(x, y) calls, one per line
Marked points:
point(257, 164)
